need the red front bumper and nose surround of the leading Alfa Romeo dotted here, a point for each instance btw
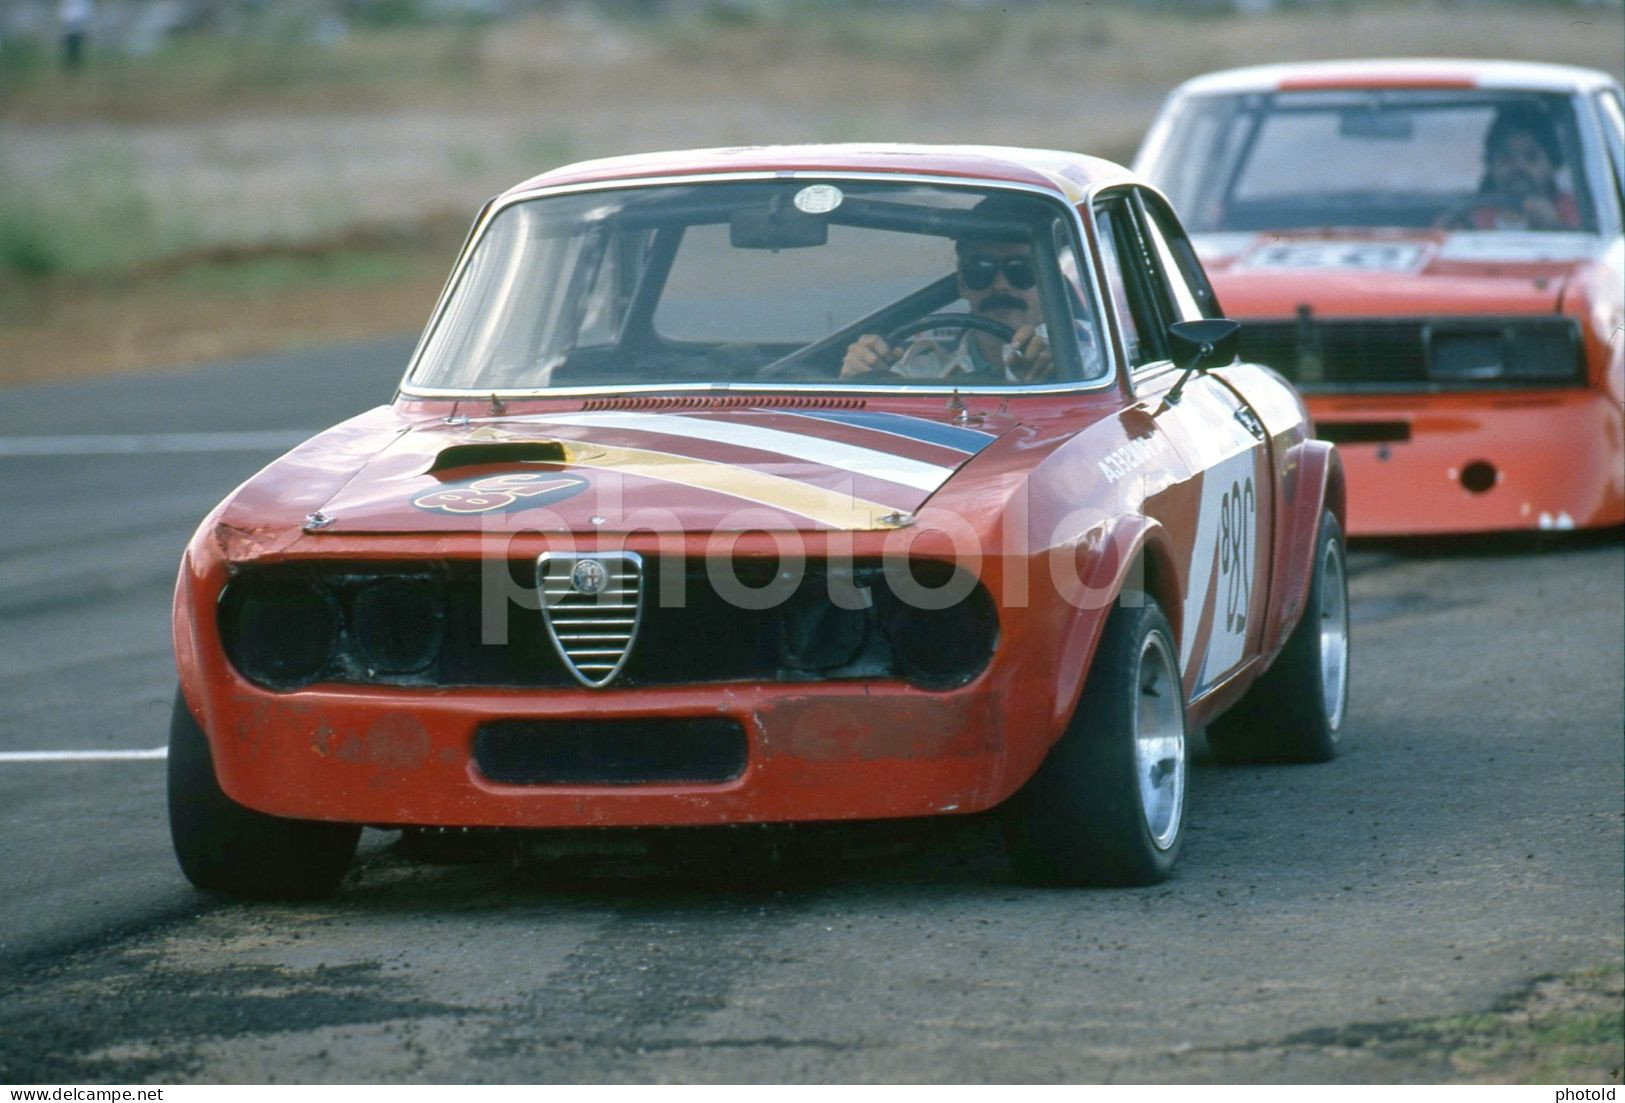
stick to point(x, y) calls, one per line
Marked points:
point(856, 748)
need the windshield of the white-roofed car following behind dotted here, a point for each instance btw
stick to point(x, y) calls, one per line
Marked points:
point(1445, 160)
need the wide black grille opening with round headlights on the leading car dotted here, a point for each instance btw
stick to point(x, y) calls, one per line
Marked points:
point(470, 623)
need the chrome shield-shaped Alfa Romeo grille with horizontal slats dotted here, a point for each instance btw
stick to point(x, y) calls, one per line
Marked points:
point(592, 605)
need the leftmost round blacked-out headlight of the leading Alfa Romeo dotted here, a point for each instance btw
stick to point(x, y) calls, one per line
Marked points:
point(279, 633)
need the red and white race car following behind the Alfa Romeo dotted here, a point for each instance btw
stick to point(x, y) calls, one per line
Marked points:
point(1432, 253)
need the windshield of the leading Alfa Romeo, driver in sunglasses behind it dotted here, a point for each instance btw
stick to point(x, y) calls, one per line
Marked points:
point(766, 282)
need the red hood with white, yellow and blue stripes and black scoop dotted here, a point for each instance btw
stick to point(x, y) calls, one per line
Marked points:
point(662, 470)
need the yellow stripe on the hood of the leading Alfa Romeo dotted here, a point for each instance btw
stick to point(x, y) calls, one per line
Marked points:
point(820, 504)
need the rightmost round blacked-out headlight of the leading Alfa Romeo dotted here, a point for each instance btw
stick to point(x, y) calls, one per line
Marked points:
point(942, 625)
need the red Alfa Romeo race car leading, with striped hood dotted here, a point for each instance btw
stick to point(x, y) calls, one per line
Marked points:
point(776, 485)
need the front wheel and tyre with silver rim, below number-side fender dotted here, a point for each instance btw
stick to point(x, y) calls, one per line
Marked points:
point(1107, 807)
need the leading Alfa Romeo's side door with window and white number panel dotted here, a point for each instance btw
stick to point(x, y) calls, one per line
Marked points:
point(1221, 514)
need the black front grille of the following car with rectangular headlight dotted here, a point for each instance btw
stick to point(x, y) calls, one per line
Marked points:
point(1406, 355)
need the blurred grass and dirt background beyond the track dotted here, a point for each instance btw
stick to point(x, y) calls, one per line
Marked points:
point(217, 168)
